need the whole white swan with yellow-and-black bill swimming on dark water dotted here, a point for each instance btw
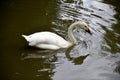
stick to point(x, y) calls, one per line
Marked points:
point(52, 41)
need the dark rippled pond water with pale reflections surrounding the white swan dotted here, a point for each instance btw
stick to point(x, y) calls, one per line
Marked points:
point(95, 57)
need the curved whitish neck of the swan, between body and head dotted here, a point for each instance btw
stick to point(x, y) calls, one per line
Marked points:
point(70, 32)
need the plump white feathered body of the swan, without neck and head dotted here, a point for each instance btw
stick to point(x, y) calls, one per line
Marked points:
point(46, 38)
